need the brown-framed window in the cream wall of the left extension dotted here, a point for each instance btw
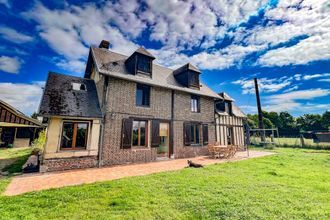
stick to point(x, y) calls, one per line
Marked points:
point(74, 135)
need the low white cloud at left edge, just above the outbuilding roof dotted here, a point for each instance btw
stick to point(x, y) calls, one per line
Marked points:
point(26, 100)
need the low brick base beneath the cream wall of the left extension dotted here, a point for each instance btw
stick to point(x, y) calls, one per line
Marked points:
point(59, 164)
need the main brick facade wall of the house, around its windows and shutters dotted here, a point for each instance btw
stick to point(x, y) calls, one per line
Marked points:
point(121, 104)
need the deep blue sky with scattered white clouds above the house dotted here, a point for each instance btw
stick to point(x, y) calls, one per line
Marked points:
point(284, 43)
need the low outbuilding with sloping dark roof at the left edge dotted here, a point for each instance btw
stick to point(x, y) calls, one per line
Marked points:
point(16, 129)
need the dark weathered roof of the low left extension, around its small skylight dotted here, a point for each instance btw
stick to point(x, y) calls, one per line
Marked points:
point(59, 99)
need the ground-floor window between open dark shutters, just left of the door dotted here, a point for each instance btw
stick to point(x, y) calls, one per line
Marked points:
point(139, 133)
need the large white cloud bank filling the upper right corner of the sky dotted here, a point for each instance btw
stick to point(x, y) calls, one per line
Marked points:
point(311, 18)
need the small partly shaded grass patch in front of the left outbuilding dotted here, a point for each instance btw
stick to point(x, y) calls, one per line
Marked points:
point(12, 159)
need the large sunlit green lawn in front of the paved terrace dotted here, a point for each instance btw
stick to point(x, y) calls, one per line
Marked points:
point(293, 184)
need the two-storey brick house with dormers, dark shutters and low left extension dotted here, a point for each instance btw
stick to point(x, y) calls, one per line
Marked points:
point(127, 109)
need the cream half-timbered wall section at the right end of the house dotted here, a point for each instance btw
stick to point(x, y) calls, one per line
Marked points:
point(224, 121)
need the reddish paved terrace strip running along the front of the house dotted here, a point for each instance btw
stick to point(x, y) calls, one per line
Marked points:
point(36, 182)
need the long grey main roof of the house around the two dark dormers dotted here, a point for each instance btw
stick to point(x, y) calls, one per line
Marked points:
point(113, 64)
